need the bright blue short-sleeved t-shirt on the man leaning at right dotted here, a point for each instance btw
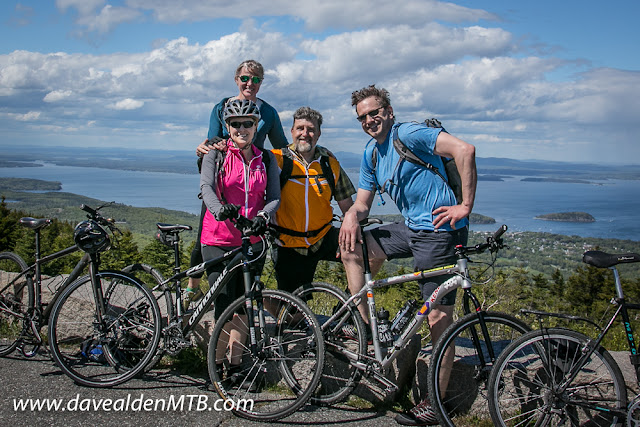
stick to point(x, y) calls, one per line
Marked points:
point(416, 190)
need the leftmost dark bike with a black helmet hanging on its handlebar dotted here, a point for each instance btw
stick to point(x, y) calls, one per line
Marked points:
point(101, 326)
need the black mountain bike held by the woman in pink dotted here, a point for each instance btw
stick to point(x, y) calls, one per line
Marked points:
point(279, 364)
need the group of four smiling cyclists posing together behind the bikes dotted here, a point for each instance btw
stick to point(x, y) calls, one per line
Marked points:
point(291, 188)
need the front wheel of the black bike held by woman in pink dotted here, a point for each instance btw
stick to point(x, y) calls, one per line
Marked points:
point(277, 376)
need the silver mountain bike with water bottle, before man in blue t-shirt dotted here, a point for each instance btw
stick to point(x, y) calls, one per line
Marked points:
point(476, 339)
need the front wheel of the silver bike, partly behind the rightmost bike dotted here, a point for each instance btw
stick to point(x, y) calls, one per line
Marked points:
point(463, 393)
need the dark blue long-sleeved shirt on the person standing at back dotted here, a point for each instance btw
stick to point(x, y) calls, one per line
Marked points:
point(269, 125)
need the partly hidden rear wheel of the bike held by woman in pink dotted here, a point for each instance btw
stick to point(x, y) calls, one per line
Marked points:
point(152, 277)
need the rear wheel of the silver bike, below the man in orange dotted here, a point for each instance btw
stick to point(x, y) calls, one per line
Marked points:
point(339, 377)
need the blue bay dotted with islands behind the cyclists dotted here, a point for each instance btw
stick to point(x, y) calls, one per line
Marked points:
point(555, 197)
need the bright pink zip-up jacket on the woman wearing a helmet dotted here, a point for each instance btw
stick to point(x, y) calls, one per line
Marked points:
point(241, 184)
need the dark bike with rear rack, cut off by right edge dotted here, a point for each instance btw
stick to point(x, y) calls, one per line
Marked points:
point(557, 376)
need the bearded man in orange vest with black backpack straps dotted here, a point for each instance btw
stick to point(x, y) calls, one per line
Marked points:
point(310, 177)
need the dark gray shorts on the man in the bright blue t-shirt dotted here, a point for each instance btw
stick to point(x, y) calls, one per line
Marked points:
point(429, 249)
